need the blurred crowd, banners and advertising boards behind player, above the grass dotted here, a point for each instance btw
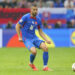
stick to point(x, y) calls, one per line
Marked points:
point(58, 18)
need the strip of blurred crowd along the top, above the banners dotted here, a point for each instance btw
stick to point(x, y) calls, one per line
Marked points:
point(40, 3)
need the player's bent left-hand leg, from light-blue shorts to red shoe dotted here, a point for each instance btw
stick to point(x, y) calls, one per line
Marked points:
point(33, 51)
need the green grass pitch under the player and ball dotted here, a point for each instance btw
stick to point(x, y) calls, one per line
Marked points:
point(14, 61)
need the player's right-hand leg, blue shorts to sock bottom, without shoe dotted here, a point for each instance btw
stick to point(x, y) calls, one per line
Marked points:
point(41, 44)
